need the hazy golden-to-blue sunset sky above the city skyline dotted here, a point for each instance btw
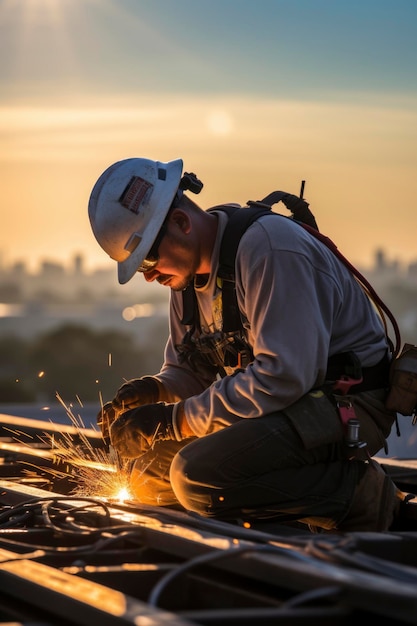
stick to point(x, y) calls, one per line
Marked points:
point(253, 96)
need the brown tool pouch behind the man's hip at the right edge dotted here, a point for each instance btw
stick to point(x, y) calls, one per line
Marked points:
point(402, 394)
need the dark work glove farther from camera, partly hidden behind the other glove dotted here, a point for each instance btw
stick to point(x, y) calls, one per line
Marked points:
point(131, 394)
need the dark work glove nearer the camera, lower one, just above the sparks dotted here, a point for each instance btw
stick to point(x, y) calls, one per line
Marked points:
point(136, 430)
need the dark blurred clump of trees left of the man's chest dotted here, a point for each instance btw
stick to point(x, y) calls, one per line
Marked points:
point(73, 361)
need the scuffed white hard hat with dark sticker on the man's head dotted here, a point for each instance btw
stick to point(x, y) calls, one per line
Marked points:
point(127, 207)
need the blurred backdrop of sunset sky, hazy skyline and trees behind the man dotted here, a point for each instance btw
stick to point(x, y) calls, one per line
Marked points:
point(253, 97)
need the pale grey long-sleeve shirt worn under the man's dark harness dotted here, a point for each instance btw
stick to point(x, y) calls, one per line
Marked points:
point(300, 305)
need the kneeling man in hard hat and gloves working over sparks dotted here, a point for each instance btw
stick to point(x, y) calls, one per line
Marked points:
point(251, 424)
